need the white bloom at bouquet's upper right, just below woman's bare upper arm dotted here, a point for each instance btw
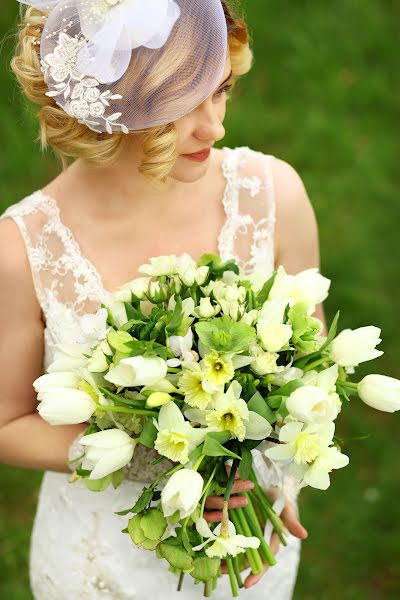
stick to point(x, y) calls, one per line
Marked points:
point(308, 287)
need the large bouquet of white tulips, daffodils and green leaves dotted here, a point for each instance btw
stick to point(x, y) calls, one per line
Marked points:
point(207, 365)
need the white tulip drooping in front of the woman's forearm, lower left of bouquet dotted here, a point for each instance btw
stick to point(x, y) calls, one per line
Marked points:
point(107, 451)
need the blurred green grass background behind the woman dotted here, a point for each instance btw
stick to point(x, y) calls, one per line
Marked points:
point(323, 95)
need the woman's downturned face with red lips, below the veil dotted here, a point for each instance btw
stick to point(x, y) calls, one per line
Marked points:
point(199, 130)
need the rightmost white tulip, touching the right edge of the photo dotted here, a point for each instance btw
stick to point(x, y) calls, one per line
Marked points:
point(380, 392)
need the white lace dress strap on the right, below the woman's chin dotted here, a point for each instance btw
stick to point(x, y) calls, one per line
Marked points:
point(249, 202)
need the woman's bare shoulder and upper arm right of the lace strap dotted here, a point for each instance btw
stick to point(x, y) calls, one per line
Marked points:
point(296, 234)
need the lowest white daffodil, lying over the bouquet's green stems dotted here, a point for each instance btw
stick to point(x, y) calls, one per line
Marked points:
point(223, 546)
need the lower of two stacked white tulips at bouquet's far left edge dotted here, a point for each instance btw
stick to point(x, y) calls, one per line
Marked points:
point(65, 406)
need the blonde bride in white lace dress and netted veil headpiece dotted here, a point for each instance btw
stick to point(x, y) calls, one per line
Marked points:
point(139, 109)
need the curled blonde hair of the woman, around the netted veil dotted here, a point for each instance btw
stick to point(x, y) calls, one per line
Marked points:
point(68, 138)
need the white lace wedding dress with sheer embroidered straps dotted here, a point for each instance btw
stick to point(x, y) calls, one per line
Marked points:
point(77, 548)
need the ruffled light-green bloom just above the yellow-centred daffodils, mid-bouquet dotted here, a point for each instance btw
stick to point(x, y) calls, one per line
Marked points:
point(224, 335)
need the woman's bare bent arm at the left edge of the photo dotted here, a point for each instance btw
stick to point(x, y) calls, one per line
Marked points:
point(26, 440)
